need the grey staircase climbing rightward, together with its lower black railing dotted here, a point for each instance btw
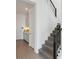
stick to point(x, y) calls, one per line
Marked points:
point(48, 50)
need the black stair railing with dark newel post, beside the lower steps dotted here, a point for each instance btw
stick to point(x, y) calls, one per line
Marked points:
point(57, 39)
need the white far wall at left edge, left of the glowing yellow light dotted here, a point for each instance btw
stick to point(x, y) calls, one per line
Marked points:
point(20, 22)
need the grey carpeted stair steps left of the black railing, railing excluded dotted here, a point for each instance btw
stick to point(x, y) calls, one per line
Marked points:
point(47, 49)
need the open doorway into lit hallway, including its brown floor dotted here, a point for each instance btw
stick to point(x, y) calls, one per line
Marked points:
point(25, 30)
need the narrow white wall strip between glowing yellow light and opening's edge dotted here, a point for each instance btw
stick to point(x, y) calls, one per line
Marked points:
point(32, 27)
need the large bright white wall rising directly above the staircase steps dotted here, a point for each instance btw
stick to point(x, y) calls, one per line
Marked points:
point(45, 21)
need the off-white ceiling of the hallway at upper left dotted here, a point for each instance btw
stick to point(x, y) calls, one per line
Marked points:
point(21, 5)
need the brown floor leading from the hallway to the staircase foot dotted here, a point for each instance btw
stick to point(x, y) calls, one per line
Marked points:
point(23, 51)
